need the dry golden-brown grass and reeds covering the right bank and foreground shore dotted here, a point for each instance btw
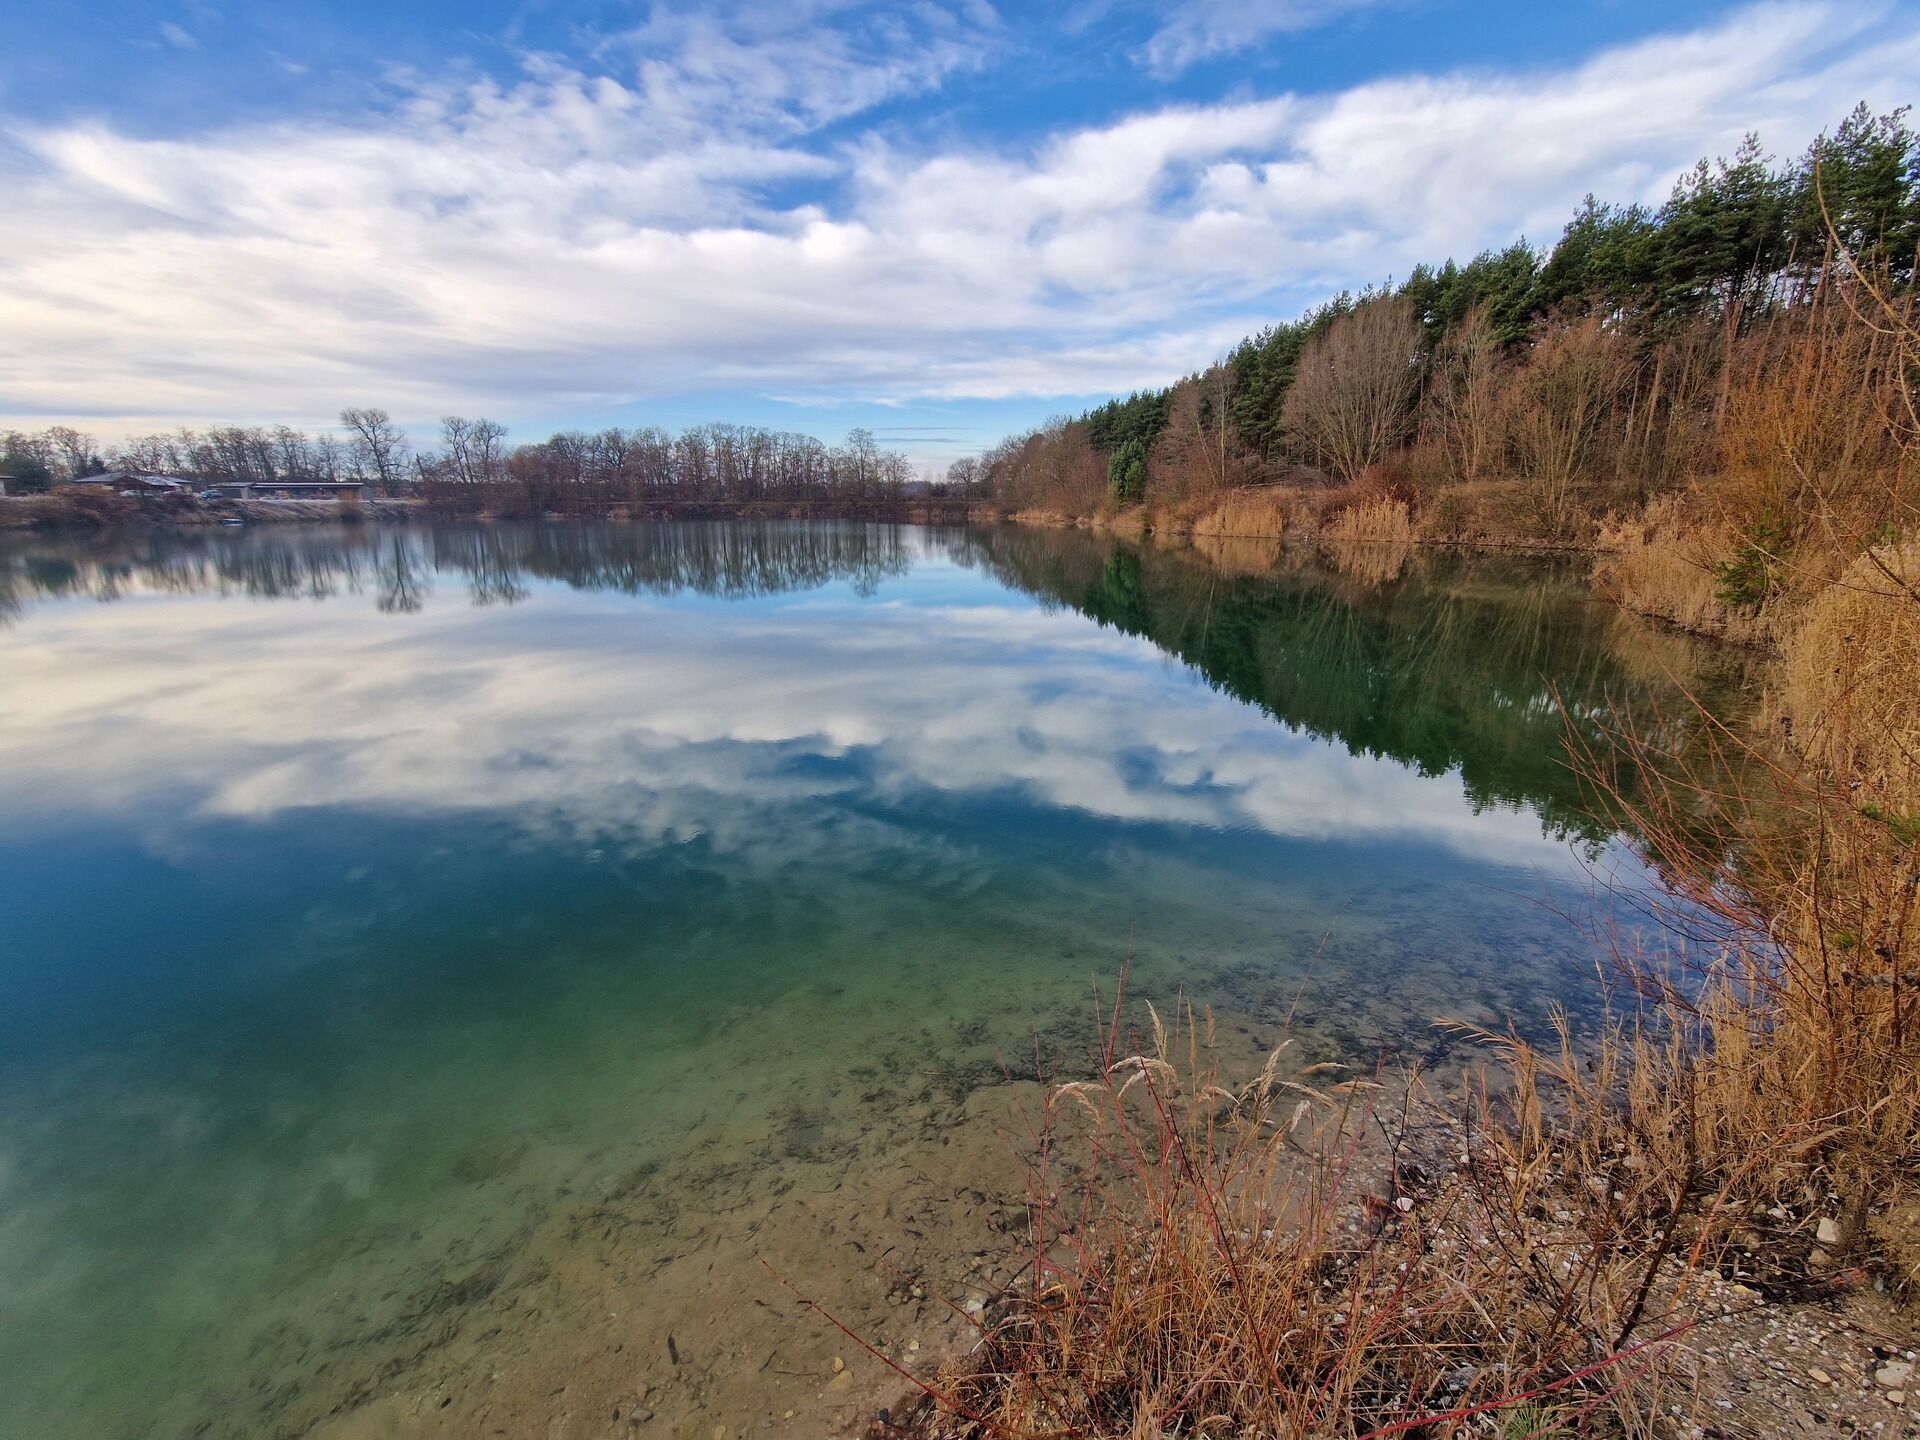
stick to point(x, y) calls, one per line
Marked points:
point(1262, 1259)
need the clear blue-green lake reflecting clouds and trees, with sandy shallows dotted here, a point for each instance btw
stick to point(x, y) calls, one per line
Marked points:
point(443, 963)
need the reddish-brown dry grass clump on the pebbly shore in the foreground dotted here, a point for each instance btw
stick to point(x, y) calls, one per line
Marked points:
point(1264, 1259)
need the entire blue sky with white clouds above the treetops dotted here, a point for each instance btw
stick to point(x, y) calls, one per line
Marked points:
point(940, 220)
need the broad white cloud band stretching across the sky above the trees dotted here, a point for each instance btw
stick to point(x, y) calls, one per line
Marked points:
point(581, 239)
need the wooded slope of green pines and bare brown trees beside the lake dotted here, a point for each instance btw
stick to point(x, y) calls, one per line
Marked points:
point(1525, 393)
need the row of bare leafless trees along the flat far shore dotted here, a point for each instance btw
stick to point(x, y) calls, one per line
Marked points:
point(471, 466)
